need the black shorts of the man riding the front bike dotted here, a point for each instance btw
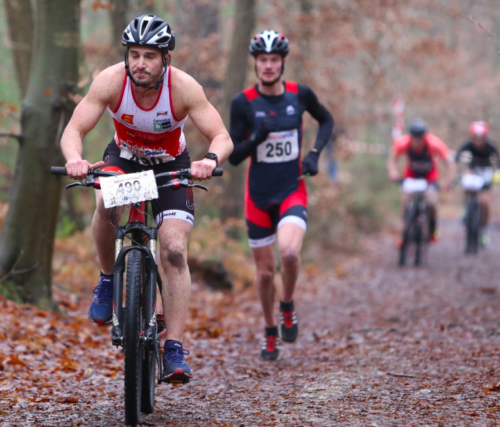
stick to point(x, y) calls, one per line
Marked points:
point(171, 203)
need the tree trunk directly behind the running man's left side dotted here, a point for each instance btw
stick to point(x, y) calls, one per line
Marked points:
point(244, 23)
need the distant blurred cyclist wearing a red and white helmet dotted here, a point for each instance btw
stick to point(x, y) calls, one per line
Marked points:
point(484, 158)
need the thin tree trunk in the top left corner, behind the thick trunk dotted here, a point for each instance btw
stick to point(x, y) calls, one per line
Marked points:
point(20, 22)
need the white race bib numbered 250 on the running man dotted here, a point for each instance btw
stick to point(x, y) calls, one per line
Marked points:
point(279, 147)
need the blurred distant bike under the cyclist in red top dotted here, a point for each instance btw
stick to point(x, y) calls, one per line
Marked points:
point(416, 221)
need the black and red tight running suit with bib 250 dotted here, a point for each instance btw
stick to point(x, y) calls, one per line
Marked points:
point(275, 194)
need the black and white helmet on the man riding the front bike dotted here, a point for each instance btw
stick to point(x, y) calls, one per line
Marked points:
point(149, 30)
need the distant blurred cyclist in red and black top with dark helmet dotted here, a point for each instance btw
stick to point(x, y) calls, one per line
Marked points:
point(422, 151)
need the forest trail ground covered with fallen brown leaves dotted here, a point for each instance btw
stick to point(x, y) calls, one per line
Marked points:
point(379, 346)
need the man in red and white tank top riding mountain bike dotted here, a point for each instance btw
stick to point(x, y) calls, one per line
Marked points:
point(149, 102)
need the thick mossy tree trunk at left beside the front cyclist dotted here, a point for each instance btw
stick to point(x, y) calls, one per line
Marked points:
point(27, 236)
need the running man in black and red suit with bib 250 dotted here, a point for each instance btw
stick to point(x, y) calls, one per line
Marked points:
point(266, 125)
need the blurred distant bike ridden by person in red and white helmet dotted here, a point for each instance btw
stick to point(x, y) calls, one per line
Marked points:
point(472, 185)
